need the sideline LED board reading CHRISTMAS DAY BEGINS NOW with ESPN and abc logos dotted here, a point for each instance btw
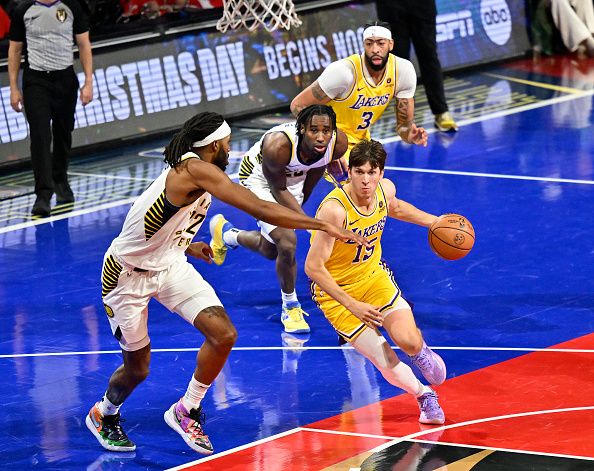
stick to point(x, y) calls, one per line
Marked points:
point(154, 87)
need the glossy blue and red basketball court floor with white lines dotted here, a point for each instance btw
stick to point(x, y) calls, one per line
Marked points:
point(513, 320)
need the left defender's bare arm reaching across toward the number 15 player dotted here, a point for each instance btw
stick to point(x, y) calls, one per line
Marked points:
point(217, 183)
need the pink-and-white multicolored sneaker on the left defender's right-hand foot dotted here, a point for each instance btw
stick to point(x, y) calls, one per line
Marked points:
point(189, 426)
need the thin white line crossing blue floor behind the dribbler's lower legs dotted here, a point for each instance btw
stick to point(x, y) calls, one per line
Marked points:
point(257, 349)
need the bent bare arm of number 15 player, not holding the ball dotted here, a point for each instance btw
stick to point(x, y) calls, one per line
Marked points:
point(319, 253)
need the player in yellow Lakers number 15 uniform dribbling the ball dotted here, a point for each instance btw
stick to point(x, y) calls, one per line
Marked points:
point(356, 289)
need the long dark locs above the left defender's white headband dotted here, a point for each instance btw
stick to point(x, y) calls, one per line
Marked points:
point(194, 129)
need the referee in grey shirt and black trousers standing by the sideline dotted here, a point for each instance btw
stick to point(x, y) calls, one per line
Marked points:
point(47, 28)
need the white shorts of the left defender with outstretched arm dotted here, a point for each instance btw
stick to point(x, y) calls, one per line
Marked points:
point(126, 294)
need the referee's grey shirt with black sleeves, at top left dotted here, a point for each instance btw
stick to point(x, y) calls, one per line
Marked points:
point(48, 30)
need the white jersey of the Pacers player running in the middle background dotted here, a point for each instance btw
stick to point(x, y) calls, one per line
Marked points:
point(252, 176)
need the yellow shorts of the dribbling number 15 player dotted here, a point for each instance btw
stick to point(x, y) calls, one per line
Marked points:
point(379, 289)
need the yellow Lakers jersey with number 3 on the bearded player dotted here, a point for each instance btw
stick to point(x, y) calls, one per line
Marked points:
point(366, 102)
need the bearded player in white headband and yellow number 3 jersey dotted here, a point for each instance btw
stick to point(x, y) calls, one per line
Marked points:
point(360, 87)
